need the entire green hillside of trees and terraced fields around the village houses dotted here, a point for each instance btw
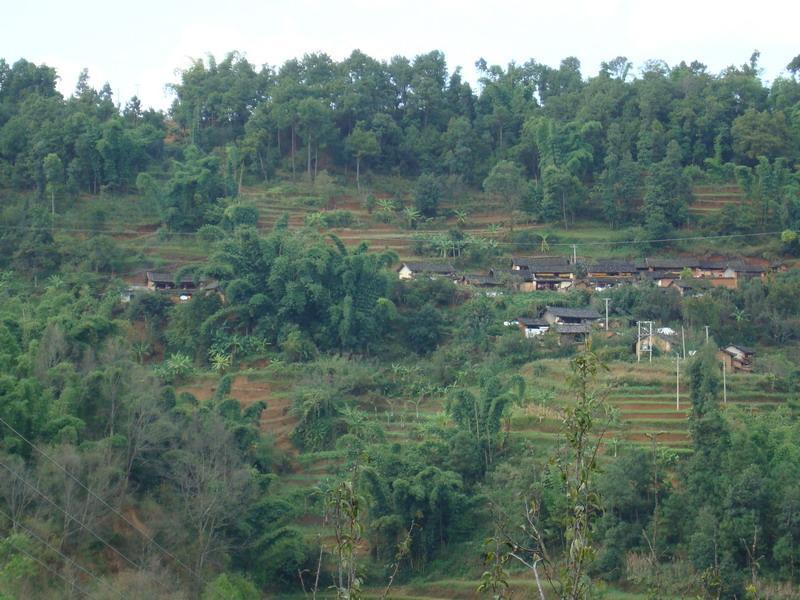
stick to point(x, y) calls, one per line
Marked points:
point(305, 424)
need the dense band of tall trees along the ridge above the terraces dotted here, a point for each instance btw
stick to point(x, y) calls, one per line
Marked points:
point(619, 145)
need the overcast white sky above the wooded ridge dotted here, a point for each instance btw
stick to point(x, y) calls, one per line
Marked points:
point(138, 46)
